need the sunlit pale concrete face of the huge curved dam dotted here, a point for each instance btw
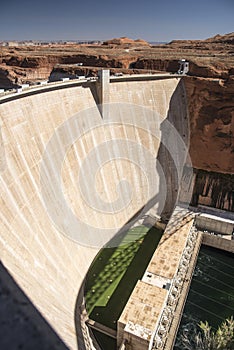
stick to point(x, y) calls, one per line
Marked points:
point(50, 230)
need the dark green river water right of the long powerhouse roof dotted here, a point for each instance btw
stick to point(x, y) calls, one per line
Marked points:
point(211, 296)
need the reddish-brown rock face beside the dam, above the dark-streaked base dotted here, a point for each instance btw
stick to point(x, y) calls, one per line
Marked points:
point(211, 111)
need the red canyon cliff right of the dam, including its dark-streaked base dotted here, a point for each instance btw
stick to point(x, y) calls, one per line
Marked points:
point(211, 113)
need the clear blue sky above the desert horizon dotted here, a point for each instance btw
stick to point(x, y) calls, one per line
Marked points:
point(152, 20)
